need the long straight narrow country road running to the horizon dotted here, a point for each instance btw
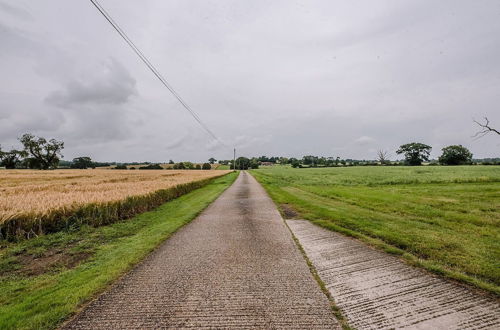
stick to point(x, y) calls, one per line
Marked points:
point(235, 266)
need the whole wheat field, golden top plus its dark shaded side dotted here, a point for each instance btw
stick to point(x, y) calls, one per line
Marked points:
point(39, 201)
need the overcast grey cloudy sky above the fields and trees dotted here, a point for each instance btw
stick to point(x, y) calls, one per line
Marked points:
point(331, 78)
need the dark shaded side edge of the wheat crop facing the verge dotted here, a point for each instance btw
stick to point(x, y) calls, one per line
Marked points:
point(94, 214)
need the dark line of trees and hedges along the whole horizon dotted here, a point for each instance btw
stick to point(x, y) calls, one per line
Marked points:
point(40, 153)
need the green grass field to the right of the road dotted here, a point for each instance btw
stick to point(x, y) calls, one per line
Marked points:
point(445, 219)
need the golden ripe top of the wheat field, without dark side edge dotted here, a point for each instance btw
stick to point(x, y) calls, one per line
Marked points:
point(29, 192)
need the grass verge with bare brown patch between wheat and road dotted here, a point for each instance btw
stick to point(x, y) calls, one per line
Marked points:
point(73, 267)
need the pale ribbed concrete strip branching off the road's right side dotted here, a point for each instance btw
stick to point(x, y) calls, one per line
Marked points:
point(379, 291)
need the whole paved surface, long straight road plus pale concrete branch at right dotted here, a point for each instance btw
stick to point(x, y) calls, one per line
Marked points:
point(237, 266)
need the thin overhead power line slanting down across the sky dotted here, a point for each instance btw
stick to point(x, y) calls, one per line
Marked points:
point(152, 68)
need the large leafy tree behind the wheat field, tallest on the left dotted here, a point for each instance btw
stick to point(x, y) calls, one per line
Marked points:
point(46, 153)
